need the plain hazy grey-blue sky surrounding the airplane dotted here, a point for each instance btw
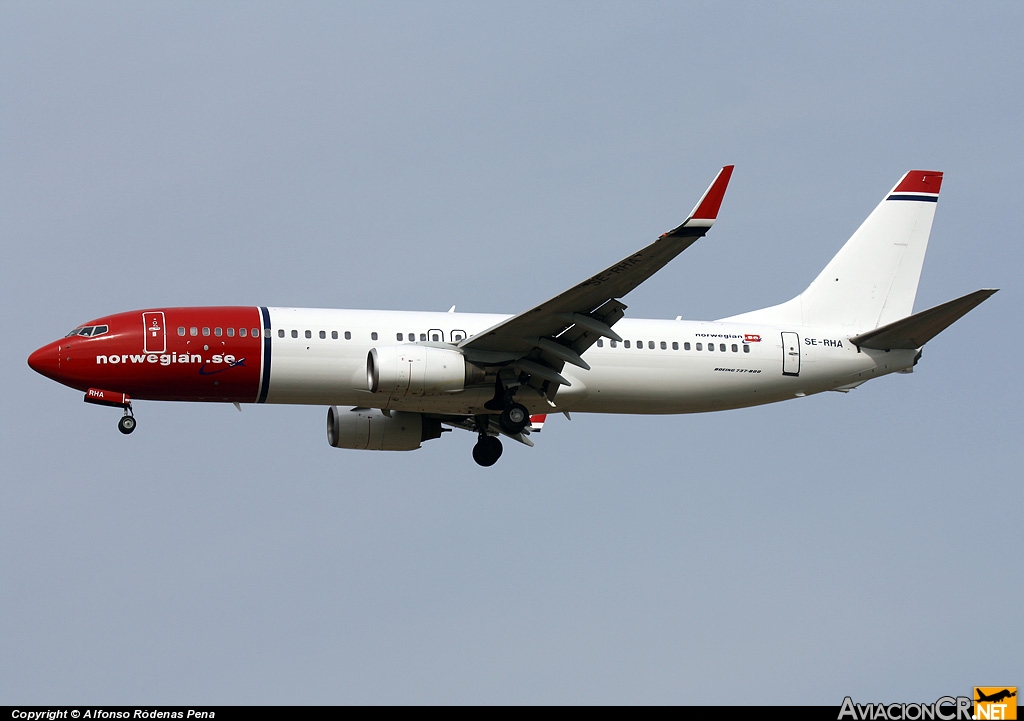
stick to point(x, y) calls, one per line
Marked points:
point(491, 155)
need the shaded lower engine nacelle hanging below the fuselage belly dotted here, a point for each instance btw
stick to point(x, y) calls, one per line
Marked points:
point(370, 430)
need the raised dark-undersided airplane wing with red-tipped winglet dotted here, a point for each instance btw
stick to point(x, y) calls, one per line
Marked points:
point(560, 330)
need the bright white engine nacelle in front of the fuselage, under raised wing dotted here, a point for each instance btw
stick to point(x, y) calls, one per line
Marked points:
point(402, 371)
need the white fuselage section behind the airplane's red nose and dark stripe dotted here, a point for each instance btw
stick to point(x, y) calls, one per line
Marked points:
point(662, 367)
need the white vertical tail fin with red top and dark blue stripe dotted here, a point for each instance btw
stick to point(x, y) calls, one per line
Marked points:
point(873, 281)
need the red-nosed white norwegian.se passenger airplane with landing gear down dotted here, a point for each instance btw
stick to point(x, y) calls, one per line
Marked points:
point(394, 380)
